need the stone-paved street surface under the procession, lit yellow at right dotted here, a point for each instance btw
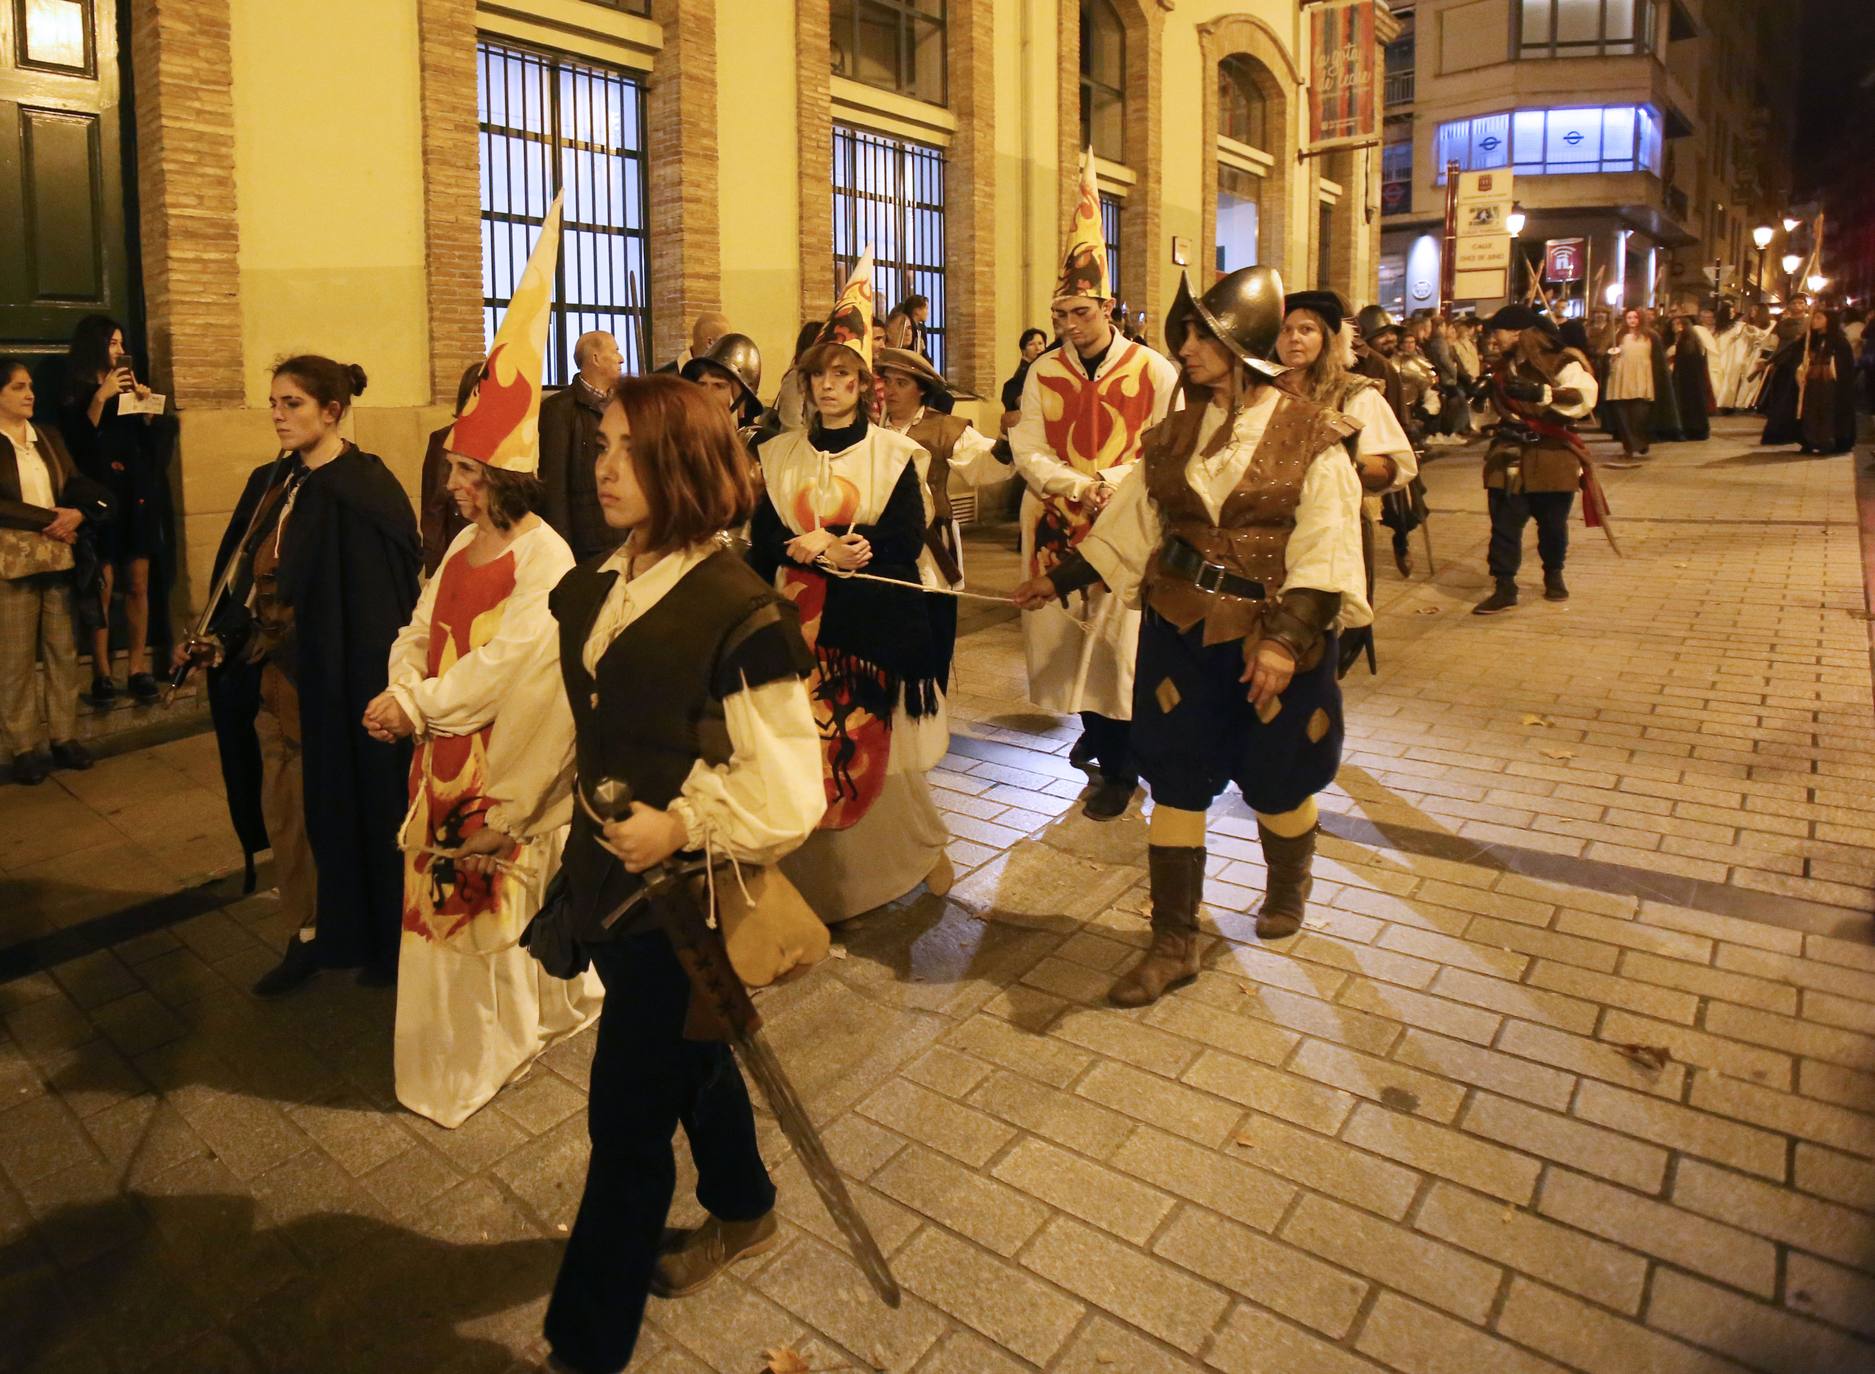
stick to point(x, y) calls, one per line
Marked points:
point(1572, 1066)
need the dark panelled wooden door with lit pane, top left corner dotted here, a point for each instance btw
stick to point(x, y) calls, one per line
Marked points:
point(61, 172)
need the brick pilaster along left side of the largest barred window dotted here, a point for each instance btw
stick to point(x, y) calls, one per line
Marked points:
point(453, 190)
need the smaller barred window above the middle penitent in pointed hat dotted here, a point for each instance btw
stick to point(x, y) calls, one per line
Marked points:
point(890, 194)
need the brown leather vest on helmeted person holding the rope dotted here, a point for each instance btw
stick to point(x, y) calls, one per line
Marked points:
point(1253, 528)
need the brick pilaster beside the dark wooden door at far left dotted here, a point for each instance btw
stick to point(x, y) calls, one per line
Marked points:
point(181, 61)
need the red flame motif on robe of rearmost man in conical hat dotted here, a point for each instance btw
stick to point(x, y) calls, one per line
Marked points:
point(1092, 426)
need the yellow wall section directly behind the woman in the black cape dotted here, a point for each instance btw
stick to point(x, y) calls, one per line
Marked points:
point(331, 203)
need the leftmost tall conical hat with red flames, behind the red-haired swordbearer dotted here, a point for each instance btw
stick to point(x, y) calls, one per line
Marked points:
point(502, 423)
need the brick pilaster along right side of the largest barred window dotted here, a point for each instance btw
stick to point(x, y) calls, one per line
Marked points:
point(685, 170)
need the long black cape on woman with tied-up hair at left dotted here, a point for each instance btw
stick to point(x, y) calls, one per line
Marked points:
point(350, 571)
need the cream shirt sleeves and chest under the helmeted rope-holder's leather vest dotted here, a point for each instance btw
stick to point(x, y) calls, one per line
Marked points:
point(1325, 550)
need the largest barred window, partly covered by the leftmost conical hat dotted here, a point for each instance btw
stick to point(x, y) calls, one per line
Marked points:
point(547, 125)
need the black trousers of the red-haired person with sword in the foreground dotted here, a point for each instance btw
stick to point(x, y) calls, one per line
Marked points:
point(648, 1081)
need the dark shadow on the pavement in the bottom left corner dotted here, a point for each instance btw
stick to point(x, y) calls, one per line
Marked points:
point(203, 1283)
